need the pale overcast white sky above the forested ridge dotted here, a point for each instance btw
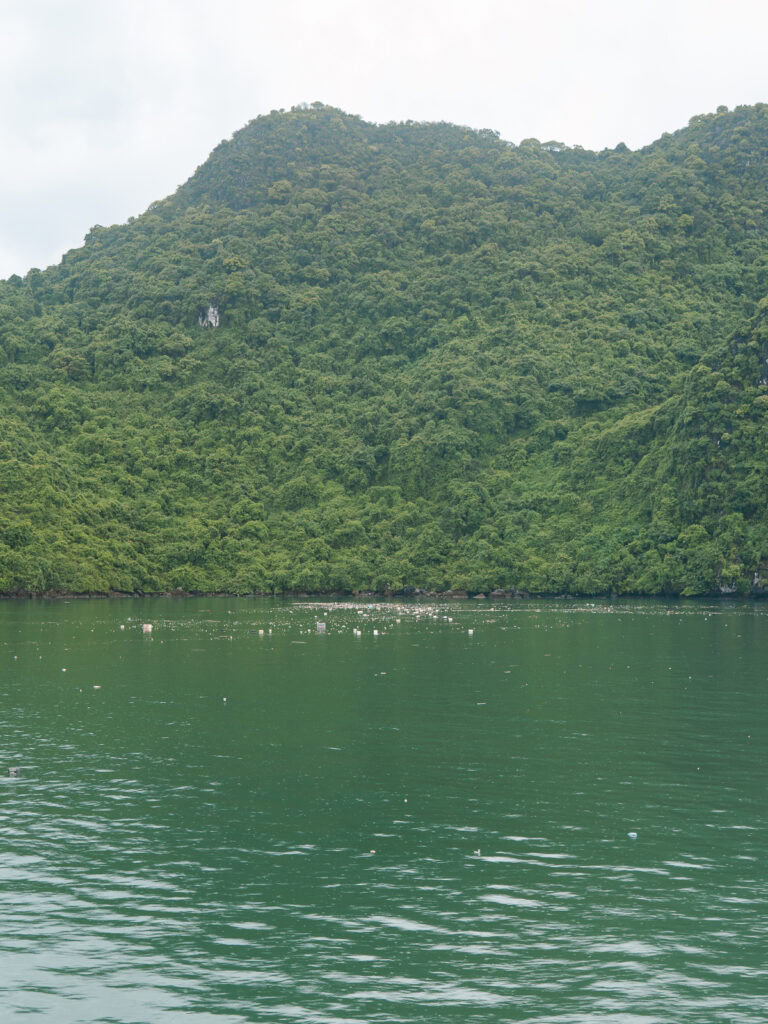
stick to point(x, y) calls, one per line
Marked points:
point(110, 105)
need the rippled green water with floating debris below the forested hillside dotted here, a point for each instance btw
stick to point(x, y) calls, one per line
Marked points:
point(418, 826)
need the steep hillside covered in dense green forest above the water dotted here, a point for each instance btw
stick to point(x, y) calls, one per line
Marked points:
point(349, 357)
